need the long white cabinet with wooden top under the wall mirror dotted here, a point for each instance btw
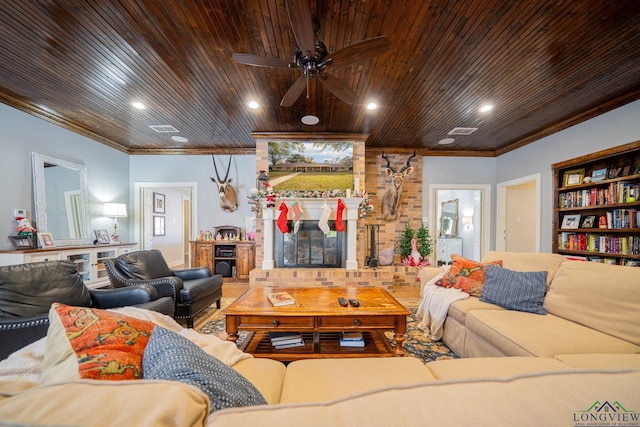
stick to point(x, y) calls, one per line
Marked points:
point(89, 259)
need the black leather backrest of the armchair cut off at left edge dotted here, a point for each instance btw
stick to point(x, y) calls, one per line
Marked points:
point(30, 289)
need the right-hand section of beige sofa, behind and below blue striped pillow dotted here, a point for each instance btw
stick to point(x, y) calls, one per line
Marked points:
point(591, 308)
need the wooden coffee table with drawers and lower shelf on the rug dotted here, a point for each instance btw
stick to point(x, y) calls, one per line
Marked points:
point(320, 319)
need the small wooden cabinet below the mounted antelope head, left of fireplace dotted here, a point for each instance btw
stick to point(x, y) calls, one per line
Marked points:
point(231, 258)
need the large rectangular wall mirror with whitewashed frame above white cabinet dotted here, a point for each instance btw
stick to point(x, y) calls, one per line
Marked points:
point(61, 199)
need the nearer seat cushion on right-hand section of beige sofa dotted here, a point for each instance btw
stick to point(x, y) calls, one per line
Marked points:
point(517, 333)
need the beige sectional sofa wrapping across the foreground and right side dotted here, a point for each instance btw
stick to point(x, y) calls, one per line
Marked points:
point(554, 383)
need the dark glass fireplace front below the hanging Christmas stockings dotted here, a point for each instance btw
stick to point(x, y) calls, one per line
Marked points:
point(310, 247)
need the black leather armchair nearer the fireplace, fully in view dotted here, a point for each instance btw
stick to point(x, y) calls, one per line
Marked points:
point(192, 289)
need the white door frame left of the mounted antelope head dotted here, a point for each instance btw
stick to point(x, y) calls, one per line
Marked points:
point(140, 208)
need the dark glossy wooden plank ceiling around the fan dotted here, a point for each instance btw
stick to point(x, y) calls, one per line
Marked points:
point(544, 65)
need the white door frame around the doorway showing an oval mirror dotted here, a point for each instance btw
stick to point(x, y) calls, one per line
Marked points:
point(485, 233)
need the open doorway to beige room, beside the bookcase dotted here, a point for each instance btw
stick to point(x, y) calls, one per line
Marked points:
point(518, 215)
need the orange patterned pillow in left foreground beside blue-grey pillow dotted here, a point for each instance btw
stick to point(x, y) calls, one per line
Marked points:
point(106, 345)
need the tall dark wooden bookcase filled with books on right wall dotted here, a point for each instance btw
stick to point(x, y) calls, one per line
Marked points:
point(597, 206)
